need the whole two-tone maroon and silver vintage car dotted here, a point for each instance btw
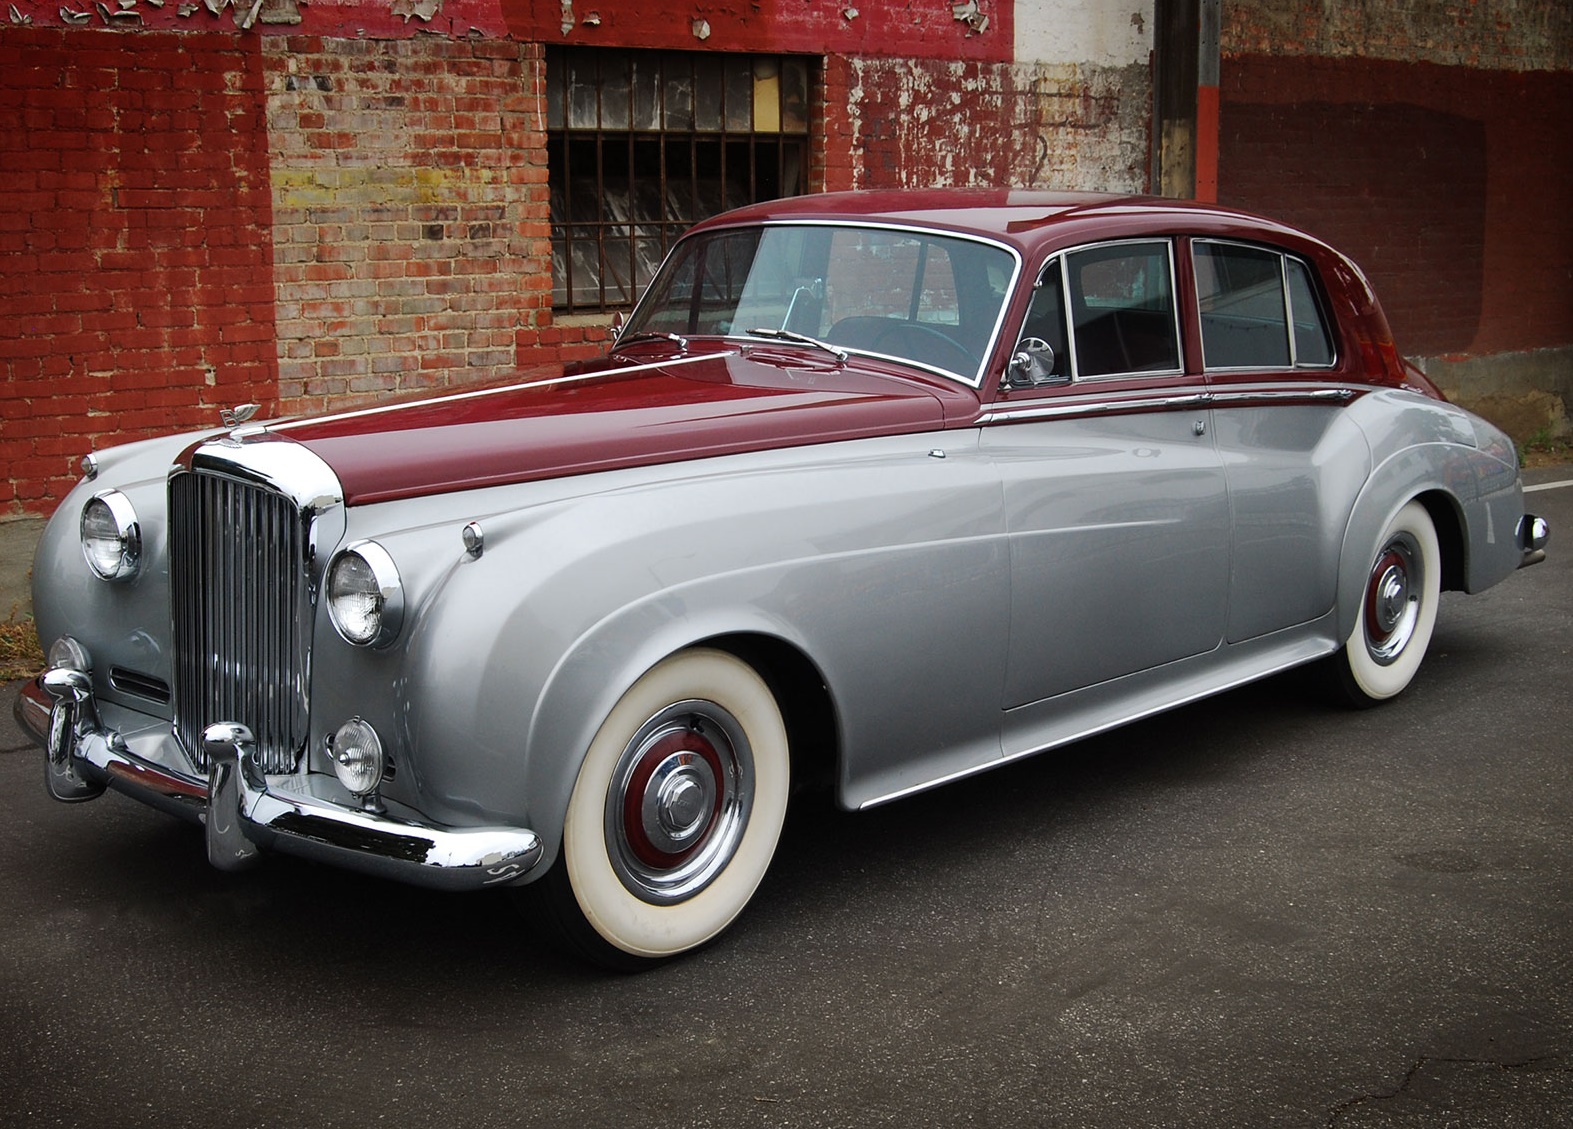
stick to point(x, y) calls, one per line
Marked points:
point(874, 491)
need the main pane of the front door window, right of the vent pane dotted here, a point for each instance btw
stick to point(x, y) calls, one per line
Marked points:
point(1124, 309)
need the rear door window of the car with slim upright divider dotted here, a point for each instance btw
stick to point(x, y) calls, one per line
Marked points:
point(1258, 309)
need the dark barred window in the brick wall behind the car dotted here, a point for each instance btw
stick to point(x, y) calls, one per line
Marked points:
point(644, 144)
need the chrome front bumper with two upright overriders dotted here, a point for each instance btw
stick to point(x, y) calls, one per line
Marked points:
point(248, 814)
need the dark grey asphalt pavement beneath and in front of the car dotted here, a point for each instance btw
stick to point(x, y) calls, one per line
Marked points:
point(1258, 911)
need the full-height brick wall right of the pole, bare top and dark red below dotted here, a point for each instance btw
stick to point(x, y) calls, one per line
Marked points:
point(1434, 142)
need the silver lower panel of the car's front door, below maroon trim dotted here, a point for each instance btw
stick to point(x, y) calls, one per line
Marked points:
point(1119, 540)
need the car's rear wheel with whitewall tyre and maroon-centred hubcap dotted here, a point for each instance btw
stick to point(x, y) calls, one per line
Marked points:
point(1398, 612)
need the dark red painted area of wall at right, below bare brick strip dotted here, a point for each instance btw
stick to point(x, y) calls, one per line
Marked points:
point(1451, 186)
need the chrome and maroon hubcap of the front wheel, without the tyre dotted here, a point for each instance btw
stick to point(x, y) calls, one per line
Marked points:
point(680, 801)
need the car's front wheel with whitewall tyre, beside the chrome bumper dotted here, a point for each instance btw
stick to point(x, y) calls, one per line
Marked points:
point(674, 817)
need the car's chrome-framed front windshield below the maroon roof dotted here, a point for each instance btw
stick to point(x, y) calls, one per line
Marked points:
point(916, 296)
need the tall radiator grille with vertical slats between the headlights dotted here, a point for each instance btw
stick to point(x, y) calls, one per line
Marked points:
point(241, 609)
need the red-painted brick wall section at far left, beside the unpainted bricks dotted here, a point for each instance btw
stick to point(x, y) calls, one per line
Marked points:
point(136, 259)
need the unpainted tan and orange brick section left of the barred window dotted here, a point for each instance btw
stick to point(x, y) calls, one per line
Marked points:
point(411, 213)
